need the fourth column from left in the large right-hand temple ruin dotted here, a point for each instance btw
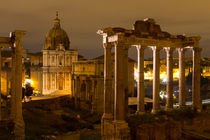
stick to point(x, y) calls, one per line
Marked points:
point(156, 79)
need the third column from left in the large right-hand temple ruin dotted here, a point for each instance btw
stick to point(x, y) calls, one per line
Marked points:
point(140, 82)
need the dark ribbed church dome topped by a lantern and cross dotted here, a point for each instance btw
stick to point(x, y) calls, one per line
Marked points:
point(56, 37)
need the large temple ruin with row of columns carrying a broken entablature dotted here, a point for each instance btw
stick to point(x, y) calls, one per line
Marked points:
point(146, 33)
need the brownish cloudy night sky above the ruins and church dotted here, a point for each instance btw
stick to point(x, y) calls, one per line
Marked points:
point(82, 18)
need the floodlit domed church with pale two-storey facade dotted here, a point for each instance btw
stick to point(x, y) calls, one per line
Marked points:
point(57, 60)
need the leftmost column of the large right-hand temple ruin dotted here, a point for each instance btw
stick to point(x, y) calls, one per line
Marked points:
point(107, 81)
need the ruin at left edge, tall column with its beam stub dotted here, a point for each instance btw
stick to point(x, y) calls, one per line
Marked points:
point(14, 42)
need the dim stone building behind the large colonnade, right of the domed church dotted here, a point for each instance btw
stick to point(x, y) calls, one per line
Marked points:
point(88, 82)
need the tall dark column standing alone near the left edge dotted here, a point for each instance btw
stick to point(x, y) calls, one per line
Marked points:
point(19, 127)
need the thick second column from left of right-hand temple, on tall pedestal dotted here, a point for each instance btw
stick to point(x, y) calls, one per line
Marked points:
point(121, 129)
